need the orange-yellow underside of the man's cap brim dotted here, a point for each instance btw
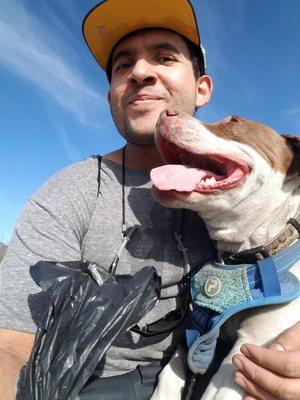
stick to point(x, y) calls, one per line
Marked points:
point(108, 22)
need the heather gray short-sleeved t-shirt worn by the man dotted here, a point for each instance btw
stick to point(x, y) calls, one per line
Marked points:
point(66, 221)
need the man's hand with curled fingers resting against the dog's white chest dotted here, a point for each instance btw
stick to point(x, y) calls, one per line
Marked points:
point(274, 373)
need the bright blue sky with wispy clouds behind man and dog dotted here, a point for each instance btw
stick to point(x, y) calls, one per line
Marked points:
point(53, 95)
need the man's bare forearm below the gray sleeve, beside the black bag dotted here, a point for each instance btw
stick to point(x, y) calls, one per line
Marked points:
point(15, 349)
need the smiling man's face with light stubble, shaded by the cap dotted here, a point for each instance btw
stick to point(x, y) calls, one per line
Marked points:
point(151, 71)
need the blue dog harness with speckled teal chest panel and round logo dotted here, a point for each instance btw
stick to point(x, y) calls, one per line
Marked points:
point(219, 291)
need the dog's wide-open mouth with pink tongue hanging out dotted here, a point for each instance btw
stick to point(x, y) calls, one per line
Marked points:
point(189, 171)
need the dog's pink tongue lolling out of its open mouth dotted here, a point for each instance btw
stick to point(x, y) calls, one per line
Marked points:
point(176, 177)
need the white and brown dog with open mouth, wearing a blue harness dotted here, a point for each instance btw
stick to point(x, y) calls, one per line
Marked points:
point(243, 178)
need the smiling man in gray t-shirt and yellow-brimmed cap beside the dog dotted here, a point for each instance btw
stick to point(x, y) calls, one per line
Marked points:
point(151, 53)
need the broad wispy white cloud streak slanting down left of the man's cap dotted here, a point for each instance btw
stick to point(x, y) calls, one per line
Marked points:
point(27, 50)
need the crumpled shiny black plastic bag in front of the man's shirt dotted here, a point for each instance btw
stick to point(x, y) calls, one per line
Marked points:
point(89, 309)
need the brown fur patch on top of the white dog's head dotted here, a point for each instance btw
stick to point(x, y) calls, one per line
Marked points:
point(282, 153)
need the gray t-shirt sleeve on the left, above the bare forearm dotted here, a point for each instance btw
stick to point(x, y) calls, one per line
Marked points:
point(51, 227)
